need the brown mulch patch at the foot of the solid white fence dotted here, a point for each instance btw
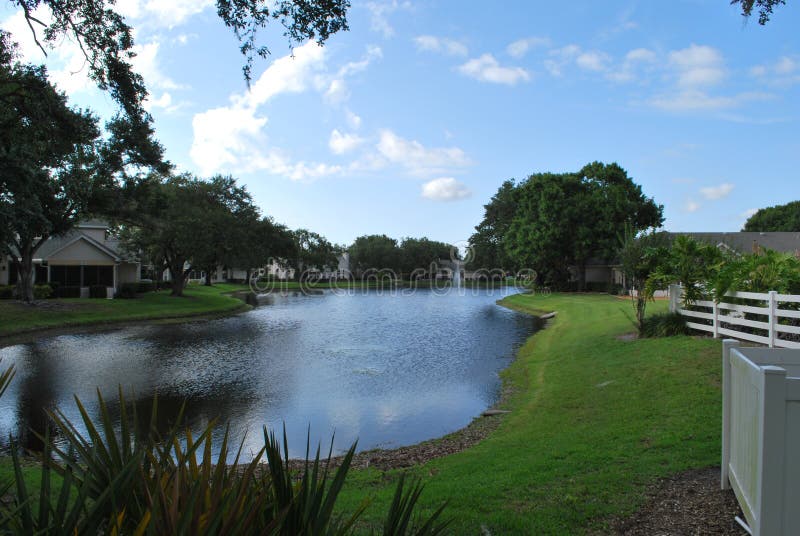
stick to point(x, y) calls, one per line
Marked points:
point(689, 503)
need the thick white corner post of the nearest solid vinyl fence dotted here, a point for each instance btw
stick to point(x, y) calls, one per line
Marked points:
point(772, 449)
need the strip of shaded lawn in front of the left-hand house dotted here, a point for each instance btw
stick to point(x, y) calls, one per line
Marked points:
point(17, 318)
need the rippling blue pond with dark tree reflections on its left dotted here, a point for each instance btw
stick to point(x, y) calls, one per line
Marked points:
point(388, 369)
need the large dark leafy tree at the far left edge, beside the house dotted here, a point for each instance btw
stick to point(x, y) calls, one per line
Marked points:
point(49, 170)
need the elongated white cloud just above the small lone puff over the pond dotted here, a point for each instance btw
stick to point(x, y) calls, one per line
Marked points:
point(418, 159)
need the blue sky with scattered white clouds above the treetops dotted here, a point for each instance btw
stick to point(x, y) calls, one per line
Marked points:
point(408, 123)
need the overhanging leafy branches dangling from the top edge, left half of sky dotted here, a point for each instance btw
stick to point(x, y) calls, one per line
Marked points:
point(106, 40)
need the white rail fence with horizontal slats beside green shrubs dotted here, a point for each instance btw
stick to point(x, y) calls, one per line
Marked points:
point(724, 318)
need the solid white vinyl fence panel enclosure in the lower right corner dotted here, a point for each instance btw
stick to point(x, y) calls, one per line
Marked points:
point(761, 436)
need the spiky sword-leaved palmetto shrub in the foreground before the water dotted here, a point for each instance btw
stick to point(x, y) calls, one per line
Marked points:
point(118, 481)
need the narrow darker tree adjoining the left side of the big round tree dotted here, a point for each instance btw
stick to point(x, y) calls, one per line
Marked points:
point(488, 248)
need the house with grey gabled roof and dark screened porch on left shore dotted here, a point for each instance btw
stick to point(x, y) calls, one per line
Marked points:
point(84, 257)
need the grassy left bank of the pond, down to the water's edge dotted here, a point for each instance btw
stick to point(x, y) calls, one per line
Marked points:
point(22, 323)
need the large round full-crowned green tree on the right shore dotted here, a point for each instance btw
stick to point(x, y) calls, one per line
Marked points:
point(563, 220)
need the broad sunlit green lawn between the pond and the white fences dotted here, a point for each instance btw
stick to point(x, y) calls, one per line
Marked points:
point(594, 420)
